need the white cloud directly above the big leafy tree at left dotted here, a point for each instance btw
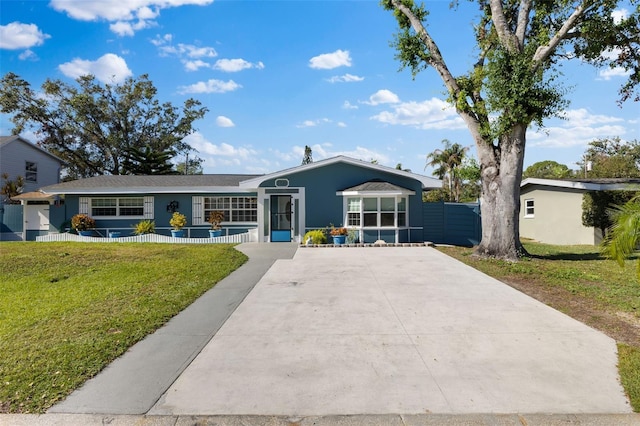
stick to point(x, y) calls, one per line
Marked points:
point(109, 68)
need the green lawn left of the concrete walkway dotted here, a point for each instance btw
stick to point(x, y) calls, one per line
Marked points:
point(69, 309)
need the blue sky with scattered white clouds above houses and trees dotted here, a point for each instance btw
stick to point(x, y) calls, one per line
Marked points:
point(279, 75)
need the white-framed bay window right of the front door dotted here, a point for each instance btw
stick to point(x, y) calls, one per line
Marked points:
point(376, 212)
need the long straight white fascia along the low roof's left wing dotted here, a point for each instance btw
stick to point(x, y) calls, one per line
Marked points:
point(156, 190)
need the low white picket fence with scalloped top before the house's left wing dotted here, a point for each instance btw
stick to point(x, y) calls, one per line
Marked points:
point(247, 237)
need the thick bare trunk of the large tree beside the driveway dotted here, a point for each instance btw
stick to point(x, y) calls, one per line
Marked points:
point(500, 198)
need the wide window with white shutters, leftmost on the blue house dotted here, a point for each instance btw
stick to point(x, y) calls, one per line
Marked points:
point(117, 207)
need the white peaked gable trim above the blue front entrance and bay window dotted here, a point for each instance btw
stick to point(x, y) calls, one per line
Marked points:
point(427, 182)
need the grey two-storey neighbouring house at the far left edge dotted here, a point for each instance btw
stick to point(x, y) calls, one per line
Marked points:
point(19, 157)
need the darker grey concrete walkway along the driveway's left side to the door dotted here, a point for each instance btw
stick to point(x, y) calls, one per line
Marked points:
point(134, 382)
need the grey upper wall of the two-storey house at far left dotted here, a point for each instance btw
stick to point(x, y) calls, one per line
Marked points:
point(13, 161)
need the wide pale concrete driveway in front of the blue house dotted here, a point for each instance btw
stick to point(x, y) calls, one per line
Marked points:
point(380, 330)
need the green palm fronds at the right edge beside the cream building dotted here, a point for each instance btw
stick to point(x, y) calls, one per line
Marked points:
point(624, 235)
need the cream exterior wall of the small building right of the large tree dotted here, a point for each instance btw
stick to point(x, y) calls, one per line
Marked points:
point(557, 217)
